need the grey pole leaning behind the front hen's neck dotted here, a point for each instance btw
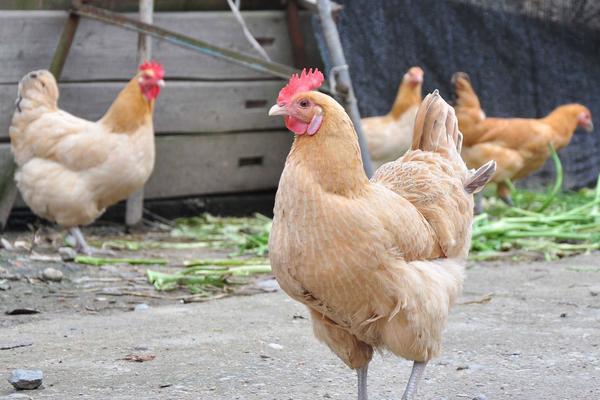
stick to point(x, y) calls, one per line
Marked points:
point(343, 82)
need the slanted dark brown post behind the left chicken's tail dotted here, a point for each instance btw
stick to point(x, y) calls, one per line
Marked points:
point(8, 190)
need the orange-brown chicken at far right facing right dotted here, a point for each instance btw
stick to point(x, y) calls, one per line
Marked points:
point(518, 145)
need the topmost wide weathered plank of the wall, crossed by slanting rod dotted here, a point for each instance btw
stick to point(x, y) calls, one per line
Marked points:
point(103, 52)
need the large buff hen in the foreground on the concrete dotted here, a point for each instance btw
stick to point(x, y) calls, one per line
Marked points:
point(378, 263)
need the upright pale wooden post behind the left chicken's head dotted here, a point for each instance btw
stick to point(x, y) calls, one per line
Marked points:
point(135, 203)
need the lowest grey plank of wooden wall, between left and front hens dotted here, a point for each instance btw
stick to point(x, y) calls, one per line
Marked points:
point(191, 165)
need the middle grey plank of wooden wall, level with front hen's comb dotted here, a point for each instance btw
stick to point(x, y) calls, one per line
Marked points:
point(182, 107)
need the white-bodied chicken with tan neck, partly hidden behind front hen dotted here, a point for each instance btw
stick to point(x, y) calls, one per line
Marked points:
point(389, 136)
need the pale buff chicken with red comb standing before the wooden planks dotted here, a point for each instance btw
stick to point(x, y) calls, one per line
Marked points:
point(70, 169)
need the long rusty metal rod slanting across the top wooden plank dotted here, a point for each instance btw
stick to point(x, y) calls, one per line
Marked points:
point(257, 64)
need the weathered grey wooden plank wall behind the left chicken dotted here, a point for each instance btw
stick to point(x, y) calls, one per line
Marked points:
point(213, 132)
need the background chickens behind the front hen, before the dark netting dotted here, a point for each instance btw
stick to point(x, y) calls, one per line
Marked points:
point(518, 145)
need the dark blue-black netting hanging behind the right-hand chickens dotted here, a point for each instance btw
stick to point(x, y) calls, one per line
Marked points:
point(525, 57)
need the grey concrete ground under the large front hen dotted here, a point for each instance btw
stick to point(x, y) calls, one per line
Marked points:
point(538, 337)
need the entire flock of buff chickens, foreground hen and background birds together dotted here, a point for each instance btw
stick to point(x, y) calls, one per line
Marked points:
point(378, 261)
